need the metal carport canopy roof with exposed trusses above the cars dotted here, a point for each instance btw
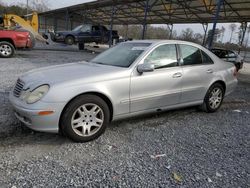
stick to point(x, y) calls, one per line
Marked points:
point(158, 11)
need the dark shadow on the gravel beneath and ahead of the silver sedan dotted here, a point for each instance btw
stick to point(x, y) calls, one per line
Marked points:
point(19, 134)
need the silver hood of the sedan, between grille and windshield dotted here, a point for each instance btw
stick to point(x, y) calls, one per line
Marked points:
point(71, 73)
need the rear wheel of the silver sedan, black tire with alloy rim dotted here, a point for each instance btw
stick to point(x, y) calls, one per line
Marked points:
point(215, 93)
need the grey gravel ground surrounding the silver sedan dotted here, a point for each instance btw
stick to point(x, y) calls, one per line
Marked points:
point(181, 148)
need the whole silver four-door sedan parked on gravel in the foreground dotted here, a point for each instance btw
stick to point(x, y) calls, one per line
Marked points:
point(138, 77)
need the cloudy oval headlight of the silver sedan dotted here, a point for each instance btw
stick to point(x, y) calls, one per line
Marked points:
point(36, 94)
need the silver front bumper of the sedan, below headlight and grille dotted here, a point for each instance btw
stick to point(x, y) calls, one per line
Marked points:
point(29, 115)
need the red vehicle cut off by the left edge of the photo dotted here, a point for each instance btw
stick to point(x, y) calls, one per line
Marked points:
point(10, 40)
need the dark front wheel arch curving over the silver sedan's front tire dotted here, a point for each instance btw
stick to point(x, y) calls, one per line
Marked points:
point(101, 95)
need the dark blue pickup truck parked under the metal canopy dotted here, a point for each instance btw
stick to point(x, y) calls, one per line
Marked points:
point(84, 34)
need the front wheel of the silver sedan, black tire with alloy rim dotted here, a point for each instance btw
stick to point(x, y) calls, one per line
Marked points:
point(85, 118)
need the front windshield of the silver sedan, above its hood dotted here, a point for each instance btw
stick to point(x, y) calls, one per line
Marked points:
point(122, 55)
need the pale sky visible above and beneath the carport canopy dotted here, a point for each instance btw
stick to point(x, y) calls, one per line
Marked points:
point(197, 28)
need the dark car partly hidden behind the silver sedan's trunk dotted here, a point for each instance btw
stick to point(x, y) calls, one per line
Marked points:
point(230, 56)
